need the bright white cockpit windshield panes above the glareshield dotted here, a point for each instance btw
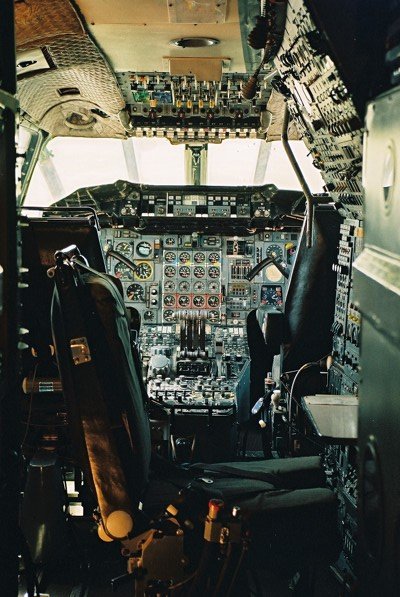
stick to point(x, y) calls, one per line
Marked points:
point(67, 164)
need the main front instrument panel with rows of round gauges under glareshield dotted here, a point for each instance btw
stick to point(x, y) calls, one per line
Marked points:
point(178, 272)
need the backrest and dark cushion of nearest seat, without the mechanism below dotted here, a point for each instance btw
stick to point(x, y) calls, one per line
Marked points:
point(289, 512)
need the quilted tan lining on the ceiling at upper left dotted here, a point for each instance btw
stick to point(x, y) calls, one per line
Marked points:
point(78, 81)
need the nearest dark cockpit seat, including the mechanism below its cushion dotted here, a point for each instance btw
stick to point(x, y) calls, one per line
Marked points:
point(288, 517)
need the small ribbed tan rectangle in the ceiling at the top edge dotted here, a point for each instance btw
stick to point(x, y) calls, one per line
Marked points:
point(193, 11)
